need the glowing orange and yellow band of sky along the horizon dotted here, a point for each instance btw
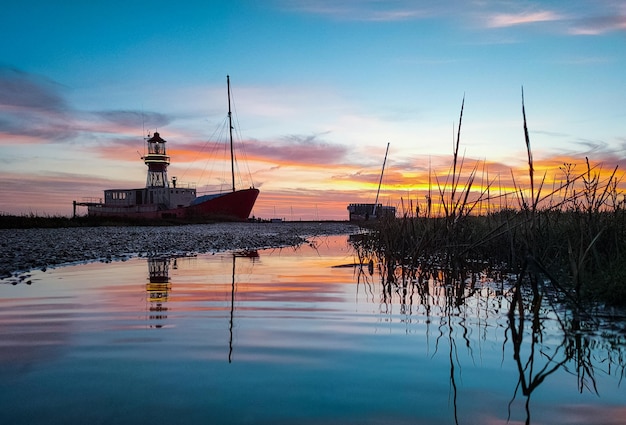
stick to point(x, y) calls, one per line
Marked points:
point(328, 200)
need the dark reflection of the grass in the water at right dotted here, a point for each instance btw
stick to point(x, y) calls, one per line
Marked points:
point(542, 333)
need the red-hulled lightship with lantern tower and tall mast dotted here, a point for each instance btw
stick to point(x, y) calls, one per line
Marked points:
point(165, 199)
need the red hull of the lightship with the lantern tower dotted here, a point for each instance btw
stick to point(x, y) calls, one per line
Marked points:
point(235, 206)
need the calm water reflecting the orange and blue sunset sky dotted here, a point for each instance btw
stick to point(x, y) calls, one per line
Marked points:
point(287, 336)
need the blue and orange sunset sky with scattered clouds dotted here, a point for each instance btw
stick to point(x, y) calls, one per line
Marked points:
point(319, 87)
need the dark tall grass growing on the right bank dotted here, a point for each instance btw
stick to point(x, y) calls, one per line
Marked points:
point(572, 235)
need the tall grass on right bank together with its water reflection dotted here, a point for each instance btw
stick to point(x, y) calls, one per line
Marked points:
point(564, 247)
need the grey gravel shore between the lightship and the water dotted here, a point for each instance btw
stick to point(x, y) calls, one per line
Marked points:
point(22, 250)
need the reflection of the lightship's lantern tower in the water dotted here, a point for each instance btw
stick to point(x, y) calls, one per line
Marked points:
point(158, 287)
